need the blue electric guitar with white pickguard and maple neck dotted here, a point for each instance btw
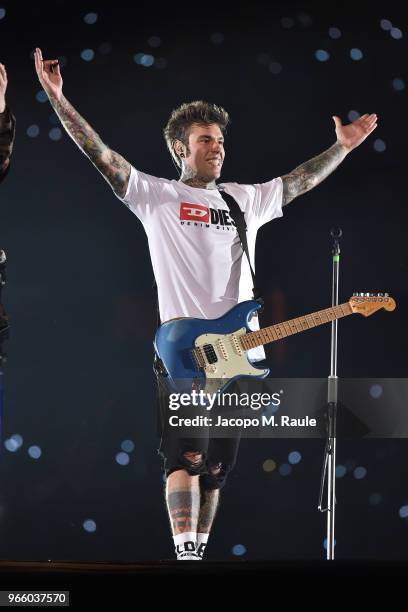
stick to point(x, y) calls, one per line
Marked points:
point(211, 353)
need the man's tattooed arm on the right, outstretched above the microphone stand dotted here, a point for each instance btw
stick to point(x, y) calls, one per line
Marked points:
point(314, 171)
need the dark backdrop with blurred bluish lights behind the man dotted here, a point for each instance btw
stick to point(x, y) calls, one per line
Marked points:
point(78, 380)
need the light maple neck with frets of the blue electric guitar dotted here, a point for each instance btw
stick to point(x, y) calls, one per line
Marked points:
point(294, 326)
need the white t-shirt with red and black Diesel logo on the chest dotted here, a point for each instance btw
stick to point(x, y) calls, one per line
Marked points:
point(197, 258)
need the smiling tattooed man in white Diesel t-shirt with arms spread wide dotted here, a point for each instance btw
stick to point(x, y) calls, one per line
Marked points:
point(197, 258)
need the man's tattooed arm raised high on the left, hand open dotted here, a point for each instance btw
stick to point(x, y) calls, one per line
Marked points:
point(113, 167)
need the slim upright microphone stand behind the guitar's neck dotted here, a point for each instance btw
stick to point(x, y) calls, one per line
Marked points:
point(329, 461)
